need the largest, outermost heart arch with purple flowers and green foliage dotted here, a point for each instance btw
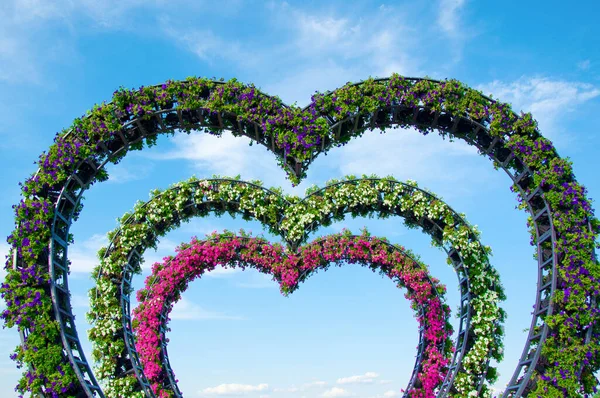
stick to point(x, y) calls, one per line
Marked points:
point(562, 351)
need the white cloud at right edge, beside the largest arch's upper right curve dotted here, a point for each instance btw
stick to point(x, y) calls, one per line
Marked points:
point(547, 99)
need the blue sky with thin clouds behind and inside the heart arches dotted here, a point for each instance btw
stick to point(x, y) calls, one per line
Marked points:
point(346, 332)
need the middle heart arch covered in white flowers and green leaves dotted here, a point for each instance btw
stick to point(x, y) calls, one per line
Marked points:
point(480, 333)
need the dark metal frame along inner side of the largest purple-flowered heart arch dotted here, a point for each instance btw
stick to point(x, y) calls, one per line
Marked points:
point(474, 132)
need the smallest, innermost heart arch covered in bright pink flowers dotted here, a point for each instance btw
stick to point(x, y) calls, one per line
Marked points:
point(170, 279)
